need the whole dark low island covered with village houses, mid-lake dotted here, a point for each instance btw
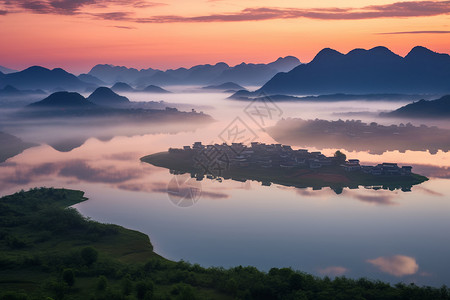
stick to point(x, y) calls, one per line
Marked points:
point(280, 164)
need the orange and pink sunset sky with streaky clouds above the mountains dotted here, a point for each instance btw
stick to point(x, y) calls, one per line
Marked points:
point(78, 34)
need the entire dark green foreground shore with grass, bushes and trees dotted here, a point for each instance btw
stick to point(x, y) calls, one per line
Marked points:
point(50, 251)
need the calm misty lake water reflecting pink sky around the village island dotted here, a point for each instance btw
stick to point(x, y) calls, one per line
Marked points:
point(380, 234)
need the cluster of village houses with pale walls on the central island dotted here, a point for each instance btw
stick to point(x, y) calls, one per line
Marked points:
point(268, 156)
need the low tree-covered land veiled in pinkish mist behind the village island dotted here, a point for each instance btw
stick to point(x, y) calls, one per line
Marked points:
point(355, 135)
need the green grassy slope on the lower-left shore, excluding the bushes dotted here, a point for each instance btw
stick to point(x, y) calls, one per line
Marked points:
point(40, 237)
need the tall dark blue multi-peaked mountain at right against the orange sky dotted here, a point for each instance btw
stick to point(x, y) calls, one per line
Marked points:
point(377, 70)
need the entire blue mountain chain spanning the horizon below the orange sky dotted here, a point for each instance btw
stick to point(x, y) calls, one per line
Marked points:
point(374, 71)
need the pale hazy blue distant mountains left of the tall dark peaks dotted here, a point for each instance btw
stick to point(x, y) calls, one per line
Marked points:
point(244, 74)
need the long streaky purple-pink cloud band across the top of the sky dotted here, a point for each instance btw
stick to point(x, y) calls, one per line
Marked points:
point(393, 10)
